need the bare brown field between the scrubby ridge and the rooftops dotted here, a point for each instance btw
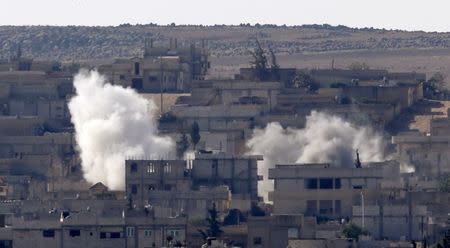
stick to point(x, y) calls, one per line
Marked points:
point(427, 61)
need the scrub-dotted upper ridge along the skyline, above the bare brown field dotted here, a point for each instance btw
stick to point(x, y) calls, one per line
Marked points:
point(77, 42)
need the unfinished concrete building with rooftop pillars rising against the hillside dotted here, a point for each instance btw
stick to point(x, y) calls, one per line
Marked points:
point(161, 69)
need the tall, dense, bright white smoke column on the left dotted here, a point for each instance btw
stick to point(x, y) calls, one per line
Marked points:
point(111, 124)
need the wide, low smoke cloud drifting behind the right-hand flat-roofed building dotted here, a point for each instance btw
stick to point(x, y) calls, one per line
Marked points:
point(325, 139)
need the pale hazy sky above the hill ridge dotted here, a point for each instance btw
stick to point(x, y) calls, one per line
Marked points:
point(407, 15)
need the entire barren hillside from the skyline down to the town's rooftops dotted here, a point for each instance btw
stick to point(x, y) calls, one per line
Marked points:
point(308, 46)
